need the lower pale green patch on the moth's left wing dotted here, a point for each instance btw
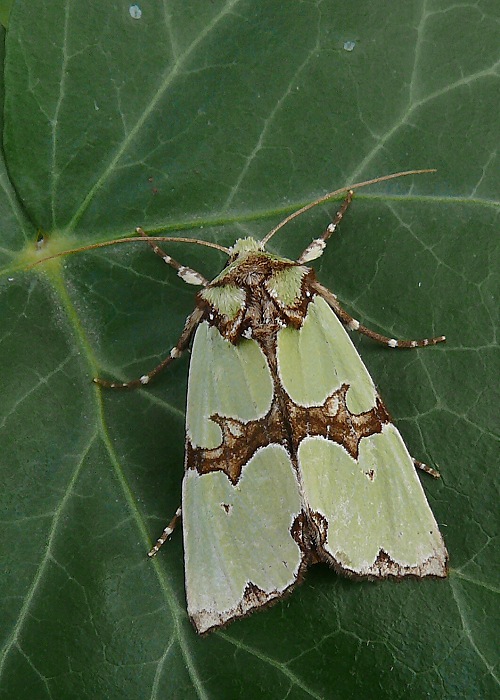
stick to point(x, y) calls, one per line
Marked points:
point(239, 553)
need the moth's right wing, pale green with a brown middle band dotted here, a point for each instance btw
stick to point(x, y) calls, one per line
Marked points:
point(368, 503)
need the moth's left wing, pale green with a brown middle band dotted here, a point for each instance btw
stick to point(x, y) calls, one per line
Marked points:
point(239, 503)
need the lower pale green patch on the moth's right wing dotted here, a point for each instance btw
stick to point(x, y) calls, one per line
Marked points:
point(379, 521)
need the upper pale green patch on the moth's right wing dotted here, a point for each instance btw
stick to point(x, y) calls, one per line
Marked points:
point(319, 358)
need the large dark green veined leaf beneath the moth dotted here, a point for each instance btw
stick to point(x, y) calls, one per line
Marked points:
point(216, 119)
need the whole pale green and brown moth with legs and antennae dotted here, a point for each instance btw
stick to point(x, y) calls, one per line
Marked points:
point(291, 456)
